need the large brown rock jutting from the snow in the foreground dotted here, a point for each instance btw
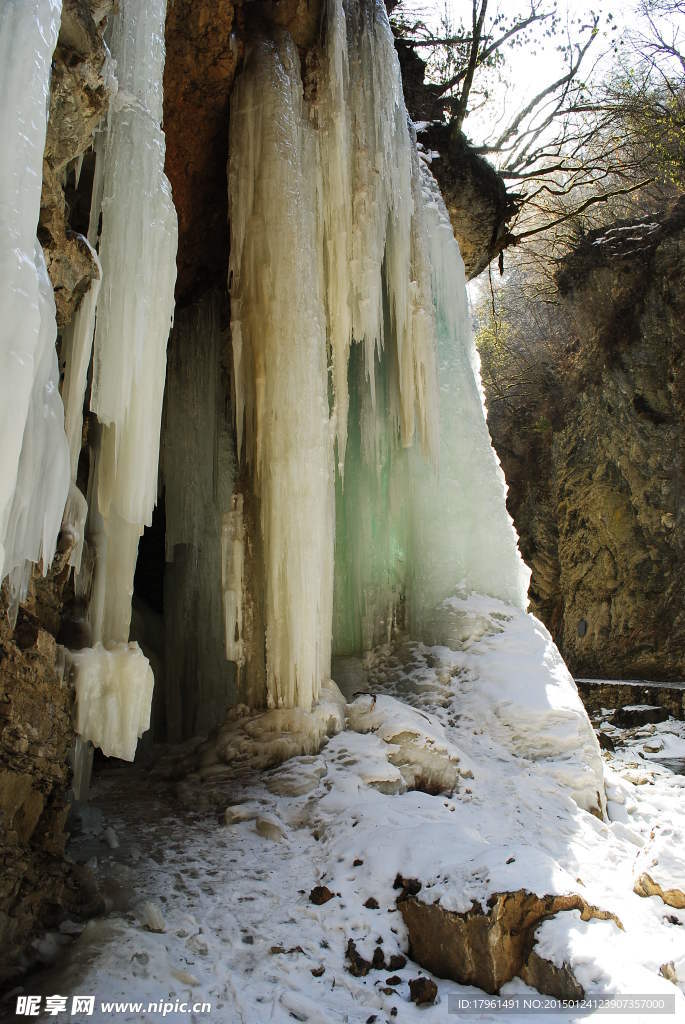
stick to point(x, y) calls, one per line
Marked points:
point(486, 950)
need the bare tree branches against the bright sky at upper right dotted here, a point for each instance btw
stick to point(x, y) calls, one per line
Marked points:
point(576, 148)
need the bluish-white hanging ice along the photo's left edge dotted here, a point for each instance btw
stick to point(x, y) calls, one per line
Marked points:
point(34, 458)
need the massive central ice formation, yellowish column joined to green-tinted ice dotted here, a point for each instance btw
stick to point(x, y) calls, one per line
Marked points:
point(341, 251)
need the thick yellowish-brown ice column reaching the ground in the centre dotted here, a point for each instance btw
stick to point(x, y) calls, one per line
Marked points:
point(280, 357)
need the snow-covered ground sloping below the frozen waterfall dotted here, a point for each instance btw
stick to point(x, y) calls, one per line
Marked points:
point(473, 771)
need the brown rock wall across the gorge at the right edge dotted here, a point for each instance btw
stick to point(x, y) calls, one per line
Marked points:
point(597, 496)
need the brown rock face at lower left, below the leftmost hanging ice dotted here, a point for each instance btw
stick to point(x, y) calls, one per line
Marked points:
point(35, 738)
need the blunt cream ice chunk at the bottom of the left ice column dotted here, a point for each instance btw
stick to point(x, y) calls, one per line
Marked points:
point(114, 693)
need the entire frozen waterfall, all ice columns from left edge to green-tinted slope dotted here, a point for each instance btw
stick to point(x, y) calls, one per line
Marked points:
point(328, 474)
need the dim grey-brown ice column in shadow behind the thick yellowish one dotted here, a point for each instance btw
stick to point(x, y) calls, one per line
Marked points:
point(198, 472)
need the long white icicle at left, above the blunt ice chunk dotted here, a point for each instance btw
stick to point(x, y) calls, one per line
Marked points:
point(138, 250)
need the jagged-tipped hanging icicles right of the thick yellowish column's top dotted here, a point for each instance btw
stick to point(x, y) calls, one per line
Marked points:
point(372, 242)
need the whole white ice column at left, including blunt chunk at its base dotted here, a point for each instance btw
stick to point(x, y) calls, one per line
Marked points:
point(134, 224)
